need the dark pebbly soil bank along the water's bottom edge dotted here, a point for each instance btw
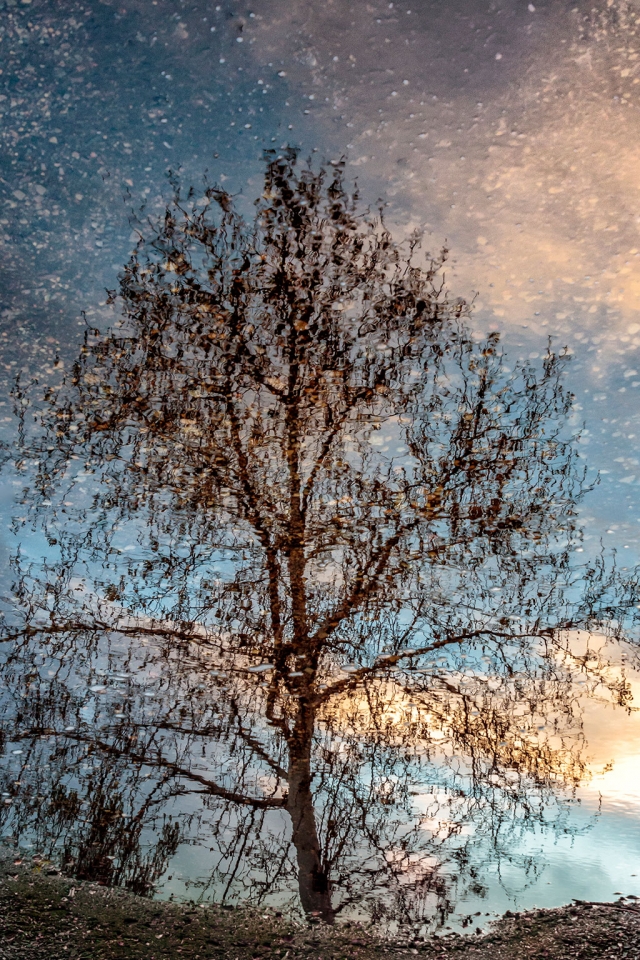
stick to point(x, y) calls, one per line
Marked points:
point(47, 917)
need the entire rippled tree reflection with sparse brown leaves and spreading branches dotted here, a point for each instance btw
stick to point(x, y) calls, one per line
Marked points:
point(309, 587)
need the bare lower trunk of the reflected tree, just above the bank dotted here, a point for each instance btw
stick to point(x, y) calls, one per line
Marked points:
point(313, 881)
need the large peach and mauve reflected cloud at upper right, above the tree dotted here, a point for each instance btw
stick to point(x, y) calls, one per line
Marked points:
point(535, 154)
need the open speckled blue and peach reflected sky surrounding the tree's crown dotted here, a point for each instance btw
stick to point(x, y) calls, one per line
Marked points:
point(509, 131)
